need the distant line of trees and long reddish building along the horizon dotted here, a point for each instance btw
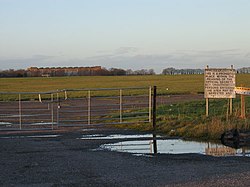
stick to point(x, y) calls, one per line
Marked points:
point(98, 71)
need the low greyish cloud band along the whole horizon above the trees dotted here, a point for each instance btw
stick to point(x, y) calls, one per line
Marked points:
point(131, 58)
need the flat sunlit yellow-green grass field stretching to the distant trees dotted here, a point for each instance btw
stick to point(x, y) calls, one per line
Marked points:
point(176, 84)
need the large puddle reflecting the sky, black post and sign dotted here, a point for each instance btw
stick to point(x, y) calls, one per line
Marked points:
point(170, 146)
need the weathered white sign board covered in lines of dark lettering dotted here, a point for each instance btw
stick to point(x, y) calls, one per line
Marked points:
point(219, 83)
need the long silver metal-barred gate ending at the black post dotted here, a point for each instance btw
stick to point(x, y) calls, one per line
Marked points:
point(74, 108)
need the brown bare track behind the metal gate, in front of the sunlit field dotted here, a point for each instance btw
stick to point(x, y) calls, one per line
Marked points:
point(37, 115)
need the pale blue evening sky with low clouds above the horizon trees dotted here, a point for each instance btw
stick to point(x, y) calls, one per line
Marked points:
point(128, 34)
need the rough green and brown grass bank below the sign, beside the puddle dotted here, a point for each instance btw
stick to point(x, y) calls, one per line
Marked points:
point(188, 119)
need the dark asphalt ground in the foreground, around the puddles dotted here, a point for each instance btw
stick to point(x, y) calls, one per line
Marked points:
point(67, 160)
